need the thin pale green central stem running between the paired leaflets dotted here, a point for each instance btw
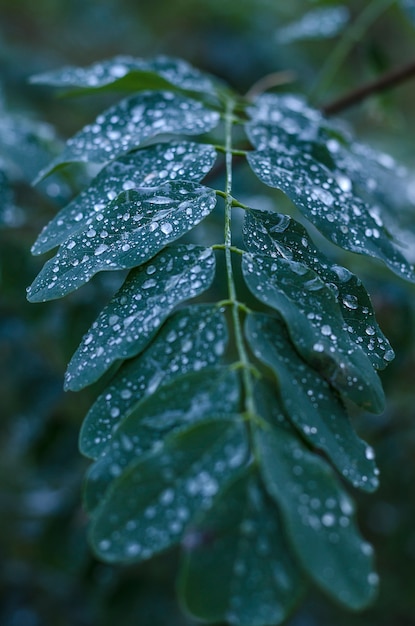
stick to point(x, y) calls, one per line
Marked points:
point(235, 305)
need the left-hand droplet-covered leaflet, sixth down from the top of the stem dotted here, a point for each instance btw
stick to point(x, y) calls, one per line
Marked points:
point(191, 340)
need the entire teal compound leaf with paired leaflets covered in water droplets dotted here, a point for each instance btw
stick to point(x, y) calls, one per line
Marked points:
point(187, 445)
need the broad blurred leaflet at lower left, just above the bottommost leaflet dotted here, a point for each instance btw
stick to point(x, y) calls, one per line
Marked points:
point(148, 507)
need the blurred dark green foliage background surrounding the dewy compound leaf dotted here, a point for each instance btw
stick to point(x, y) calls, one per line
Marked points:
point(47, 574)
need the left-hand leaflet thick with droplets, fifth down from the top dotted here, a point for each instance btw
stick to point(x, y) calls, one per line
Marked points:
point(136, 312)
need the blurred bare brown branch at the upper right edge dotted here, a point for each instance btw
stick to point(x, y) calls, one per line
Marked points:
point(385, 82)
